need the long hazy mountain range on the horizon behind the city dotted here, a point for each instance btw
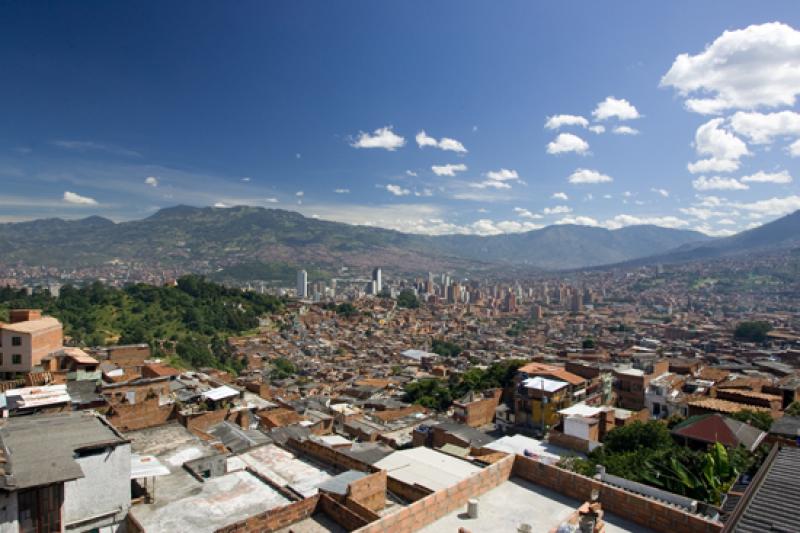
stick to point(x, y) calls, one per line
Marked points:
point(198, 239)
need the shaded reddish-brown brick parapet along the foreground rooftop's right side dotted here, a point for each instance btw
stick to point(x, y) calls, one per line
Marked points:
point(638, 509)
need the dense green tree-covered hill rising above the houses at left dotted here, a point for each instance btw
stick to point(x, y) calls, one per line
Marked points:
point(192, 318)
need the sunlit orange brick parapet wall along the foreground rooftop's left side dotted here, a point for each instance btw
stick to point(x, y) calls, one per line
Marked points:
point(434, 506)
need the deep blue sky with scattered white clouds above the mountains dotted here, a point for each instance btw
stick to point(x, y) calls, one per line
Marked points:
point(120, 109)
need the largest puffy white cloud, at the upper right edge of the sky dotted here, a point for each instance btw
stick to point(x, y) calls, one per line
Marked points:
point(758, 66)
